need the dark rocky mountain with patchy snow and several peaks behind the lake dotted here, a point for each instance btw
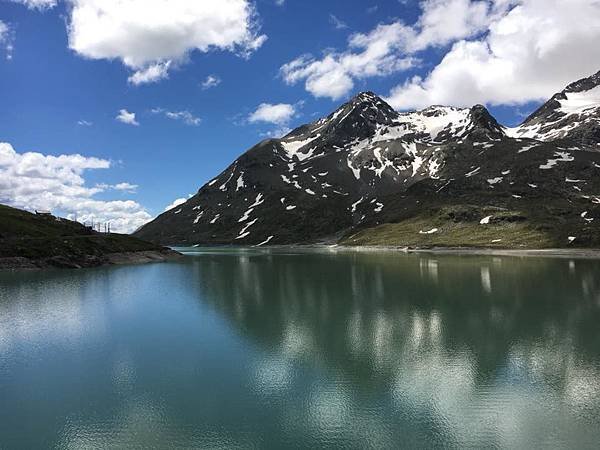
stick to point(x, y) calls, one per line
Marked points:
point(367, 174)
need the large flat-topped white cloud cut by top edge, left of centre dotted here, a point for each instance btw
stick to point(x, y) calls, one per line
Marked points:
point(152, 36)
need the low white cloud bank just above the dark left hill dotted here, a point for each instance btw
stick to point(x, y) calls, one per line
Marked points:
point(36, 181)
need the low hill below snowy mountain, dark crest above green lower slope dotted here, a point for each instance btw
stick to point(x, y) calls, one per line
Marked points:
point(480, 219)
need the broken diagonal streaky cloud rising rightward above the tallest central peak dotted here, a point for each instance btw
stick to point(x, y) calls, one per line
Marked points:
point(393, 47)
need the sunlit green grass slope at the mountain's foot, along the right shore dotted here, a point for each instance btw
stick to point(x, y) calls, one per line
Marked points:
point(459, 226)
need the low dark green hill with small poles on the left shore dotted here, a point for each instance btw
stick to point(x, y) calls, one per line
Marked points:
point(29, 241)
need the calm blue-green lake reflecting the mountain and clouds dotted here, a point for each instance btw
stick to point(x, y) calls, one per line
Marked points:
point(283, 348)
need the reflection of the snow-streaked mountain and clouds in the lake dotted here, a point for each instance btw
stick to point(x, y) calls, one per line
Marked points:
point(478, 347)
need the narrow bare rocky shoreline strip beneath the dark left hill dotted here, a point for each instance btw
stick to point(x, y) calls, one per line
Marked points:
point(88, 261)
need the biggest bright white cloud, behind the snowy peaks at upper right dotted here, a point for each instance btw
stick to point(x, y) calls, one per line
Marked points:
point(530, 52)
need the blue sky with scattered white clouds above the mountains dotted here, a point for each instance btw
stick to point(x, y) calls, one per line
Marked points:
point(114, 110)
